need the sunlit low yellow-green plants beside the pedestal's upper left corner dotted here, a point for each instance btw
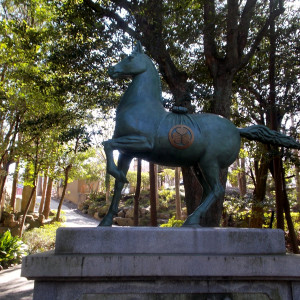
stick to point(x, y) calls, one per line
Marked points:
point(41, 239)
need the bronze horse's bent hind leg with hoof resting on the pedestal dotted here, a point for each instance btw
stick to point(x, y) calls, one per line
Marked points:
point(215, 191)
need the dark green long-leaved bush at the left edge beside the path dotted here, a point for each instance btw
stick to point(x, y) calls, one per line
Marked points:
point(12, 249)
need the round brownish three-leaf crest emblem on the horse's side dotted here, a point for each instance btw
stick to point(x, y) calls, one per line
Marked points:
point(181, 136)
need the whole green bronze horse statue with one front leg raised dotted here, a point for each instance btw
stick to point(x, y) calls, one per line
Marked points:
point(144, 129)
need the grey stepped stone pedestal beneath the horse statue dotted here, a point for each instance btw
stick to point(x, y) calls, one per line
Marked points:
point(165, 263)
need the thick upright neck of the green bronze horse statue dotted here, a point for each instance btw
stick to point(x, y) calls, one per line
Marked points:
point(144, 90)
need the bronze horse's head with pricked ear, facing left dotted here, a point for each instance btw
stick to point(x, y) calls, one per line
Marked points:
point(132, 65)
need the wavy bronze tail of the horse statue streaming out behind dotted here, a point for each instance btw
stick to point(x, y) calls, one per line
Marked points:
point(267, 136)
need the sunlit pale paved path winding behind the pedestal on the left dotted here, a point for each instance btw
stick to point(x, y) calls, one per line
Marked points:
point(15, 287)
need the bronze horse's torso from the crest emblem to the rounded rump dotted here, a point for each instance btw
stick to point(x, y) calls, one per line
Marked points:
point(186, 139)
